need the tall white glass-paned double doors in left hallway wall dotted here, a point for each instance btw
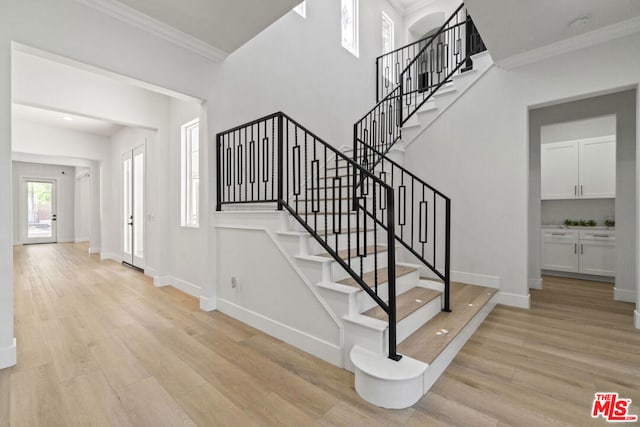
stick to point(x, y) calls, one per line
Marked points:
point(133, 207)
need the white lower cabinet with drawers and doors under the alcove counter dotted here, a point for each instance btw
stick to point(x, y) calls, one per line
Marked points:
point(579, 251)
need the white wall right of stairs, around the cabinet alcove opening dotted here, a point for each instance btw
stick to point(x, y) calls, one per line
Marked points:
point(477, 152)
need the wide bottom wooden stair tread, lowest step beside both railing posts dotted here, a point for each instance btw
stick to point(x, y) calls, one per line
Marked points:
point(429, 341)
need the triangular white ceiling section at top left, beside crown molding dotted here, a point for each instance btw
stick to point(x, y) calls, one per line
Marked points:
point(224, 24)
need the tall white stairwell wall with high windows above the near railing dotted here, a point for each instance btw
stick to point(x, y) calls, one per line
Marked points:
point(298, 66)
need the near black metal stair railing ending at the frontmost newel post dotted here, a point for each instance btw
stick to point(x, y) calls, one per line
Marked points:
point(276, 160)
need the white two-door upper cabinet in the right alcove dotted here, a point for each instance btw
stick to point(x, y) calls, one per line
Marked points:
point(583, 169)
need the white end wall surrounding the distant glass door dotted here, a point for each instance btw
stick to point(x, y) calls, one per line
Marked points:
point(65, 206)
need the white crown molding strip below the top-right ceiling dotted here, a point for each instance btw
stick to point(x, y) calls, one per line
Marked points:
point(592, 38)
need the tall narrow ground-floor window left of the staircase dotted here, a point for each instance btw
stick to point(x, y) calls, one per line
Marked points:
point(190, 174)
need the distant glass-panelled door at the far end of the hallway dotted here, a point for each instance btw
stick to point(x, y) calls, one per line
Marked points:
point(41, 217)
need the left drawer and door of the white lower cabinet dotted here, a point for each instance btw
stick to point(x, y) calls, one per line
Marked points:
point(560, 250)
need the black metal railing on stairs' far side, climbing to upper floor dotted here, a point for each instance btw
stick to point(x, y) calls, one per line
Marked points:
point(423, 217)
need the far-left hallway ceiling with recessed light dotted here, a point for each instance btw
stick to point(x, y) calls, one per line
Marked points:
point(55, 119)
